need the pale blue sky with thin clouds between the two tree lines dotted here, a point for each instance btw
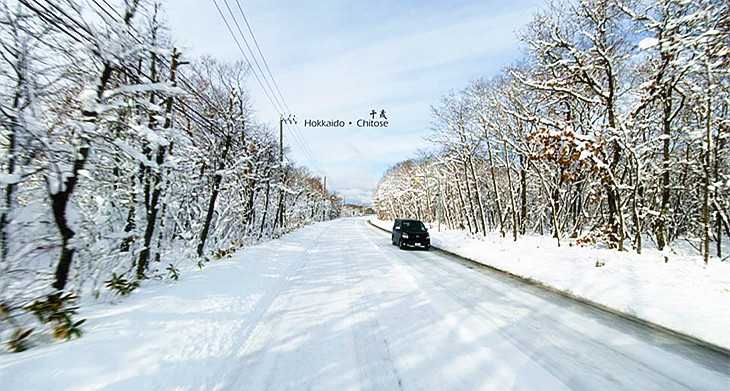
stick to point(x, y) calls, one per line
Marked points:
point(342, 59)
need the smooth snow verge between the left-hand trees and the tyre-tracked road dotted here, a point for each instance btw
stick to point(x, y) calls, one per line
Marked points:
point(181, 336)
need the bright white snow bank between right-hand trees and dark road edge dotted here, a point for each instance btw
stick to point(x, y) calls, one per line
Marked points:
point(683, 294)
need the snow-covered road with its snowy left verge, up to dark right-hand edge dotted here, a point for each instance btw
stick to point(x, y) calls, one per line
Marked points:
point(334, 306)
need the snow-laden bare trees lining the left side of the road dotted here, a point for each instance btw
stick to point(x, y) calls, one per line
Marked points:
point(122, 158)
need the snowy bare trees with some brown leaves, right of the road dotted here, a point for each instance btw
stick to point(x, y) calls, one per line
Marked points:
point(613, 128)
